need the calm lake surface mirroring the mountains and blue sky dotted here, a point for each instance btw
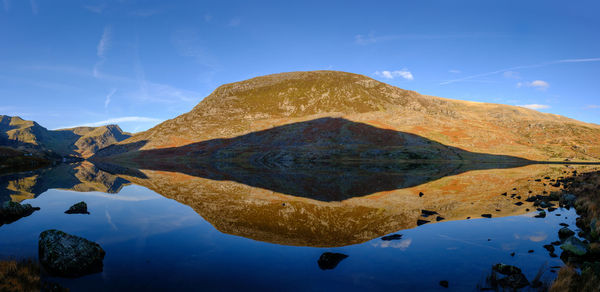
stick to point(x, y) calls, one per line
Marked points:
point(244, 229)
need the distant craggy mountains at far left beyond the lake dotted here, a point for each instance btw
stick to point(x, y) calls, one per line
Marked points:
point(78, 142)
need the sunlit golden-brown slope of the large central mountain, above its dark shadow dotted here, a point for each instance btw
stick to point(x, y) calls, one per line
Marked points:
point(270, 101)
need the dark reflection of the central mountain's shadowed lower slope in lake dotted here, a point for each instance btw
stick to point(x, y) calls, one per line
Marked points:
point(326, 181)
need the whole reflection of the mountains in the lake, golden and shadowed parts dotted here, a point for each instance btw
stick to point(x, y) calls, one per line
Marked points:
point(321, 206)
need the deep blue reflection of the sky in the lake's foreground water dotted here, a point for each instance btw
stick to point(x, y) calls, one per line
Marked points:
point(157, 243)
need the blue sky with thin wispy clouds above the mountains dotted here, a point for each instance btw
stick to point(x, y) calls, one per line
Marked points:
point(136, 63)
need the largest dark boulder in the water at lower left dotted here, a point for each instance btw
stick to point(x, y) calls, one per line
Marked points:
point(67, 255)
